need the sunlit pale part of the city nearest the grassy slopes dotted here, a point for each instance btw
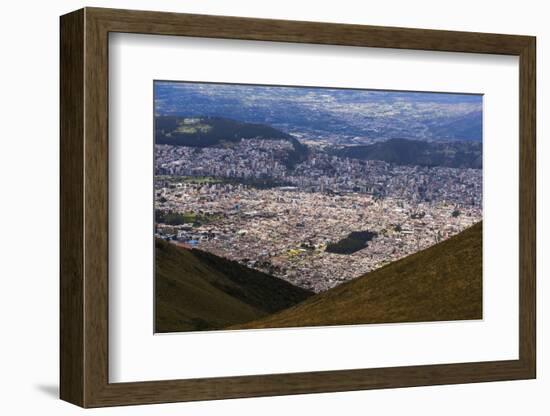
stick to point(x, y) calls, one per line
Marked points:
point(284, 230)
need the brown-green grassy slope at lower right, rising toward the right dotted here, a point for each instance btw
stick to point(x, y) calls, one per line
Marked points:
point(440, 283)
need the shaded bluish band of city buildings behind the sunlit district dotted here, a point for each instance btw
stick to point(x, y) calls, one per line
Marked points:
point(322, 172)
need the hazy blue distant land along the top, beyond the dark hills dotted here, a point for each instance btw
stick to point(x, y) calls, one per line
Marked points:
point(342, 116)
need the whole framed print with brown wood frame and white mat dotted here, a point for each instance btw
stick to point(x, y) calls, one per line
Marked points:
point(256, 207)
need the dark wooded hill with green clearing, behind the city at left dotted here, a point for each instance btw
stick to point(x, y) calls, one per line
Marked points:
point(216, 131)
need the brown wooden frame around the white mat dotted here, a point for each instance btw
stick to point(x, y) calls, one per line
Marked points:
point(84, 210)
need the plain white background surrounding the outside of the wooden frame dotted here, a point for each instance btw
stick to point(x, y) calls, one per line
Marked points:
point(29, 171)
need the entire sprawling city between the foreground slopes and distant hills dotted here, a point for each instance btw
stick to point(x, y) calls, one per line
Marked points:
point(283, 227)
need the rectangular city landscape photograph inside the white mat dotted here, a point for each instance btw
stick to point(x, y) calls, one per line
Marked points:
point(299, 206)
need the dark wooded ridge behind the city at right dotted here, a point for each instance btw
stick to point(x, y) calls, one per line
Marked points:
point(414, 152)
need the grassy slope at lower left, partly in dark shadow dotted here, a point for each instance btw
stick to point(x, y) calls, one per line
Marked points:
point(195, 291)
